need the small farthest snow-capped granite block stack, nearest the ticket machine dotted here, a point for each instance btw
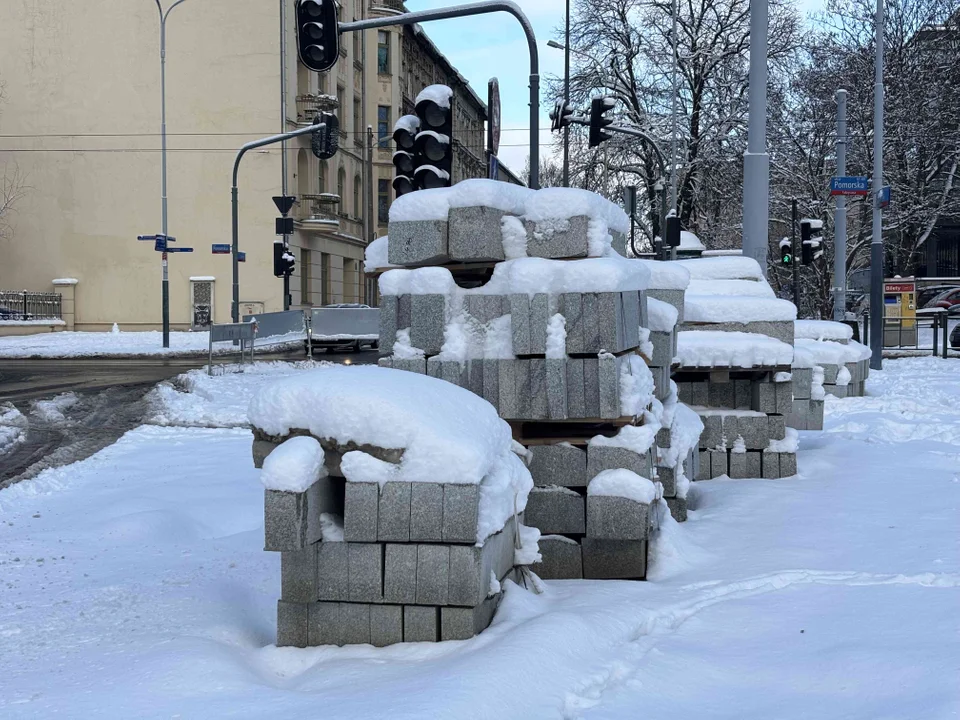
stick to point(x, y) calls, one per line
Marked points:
point(845, 362)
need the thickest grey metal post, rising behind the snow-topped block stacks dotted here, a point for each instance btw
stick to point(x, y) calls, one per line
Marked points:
point(756, 161)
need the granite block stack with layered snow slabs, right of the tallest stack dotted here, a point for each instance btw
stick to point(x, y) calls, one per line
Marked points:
point(735, 352)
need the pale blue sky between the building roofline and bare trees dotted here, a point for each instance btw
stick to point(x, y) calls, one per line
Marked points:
point(494, 46)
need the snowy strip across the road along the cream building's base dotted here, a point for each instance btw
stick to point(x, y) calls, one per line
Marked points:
point(124, 344)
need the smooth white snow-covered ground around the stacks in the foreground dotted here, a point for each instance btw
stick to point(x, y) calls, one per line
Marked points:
point(134, 584)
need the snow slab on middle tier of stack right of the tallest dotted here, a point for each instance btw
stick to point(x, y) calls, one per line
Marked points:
point(708, 348)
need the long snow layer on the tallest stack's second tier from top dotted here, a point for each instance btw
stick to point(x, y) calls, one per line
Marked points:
point(526, 275)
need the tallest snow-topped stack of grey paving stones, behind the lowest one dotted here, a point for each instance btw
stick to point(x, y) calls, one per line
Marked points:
point(542, 318)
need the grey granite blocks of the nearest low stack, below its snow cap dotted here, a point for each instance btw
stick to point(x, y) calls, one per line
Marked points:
point(367, 561)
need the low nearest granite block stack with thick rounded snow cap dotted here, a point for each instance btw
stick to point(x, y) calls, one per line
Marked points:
point(396, 503)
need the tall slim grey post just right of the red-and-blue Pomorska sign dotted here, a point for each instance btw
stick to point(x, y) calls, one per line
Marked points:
point(876, 244)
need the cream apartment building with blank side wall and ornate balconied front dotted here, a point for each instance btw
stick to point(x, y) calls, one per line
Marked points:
point(80, 122)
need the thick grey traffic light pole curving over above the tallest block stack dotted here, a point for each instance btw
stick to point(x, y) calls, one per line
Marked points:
point(479, 8)
